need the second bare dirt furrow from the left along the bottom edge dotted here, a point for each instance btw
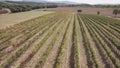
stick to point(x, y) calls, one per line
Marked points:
point(38, 55)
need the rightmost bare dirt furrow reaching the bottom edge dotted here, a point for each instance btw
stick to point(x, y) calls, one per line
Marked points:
point(97, 59)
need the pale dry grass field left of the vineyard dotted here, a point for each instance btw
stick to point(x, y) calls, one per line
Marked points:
point(10, 19)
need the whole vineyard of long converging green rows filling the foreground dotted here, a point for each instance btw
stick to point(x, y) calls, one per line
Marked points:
point(62, 40)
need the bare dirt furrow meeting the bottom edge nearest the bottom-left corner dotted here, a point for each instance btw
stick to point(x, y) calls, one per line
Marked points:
point(30, 49)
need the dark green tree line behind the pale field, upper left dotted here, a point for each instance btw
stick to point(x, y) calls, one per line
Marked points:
point(24, 7)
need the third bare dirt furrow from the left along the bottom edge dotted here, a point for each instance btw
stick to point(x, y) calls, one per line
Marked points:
point(51, 59)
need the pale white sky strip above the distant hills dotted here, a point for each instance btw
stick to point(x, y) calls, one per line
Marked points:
point(87, 1)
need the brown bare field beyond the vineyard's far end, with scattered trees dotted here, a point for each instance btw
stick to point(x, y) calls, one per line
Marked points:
point(86, 10)
